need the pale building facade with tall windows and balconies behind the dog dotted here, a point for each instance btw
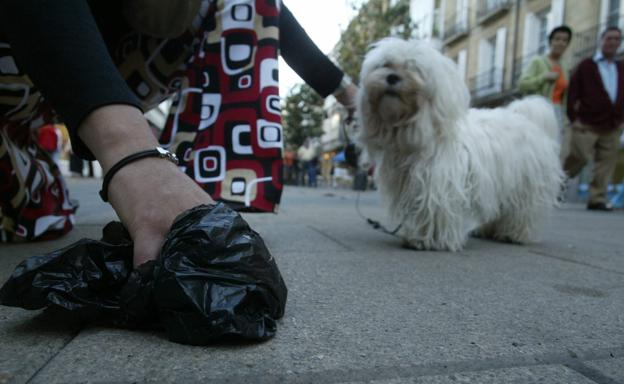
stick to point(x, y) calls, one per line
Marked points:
point(493, 40)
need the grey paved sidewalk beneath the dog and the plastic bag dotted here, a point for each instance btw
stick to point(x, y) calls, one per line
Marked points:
point(363, 310)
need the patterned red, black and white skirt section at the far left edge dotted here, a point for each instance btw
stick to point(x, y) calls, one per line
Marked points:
point(34, 201)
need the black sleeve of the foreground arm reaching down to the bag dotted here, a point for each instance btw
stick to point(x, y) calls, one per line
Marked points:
point(58, 44)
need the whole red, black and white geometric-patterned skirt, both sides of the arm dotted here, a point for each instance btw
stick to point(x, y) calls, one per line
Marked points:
point(224, 124)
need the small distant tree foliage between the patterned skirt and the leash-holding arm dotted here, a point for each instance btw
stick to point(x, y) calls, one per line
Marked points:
point(302, 115)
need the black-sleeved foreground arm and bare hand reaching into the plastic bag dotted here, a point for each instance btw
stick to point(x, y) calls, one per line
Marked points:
point(58, 44)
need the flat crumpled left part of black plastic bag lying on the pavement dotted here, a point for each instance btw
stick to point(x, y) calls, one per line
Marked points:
point(84, 278)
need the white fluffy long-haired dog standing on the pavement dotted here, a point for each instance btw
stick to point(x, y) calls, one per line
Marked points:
point(446, 170)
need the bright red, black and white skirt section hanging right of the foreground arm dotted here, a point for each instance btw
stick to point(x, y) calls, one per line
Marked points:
point(225, 122)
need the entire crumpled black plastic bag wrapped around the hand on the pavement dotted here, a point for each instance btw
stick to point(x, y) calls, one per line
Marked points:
point(214, 278)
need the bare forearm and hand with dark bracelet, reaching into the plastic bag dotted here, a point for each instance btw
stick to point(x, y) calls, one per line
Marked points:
point(147, 194)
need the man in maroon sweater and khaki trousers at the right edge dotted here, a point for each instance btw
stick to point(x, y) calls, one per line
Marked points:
point(596, 111)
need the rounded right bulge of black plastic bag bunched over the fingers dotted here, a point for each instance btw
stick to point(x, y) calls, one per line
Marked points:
point(236, 290)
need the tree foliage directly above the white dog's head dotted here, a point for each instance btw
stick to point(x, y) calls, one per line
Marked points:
point(375, 20)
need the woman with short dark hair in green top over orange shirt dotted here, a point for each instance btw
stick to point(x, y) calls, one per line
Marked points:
point(547, 76)
